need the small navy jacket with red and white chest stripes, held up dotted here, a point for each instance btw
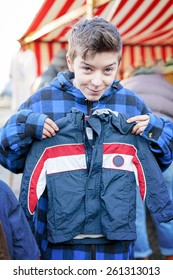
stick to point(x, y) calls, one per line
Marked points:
point(90, 170)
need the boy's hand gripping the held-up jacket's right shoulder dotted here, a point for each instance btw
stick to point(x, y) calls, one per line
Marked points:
point(141, 123)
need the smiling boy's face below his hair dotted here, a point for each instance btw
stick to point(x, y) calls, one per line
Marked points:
point(94, 75)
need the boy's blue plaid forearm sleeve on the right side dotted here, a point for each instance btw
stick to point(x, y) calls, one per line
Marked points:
point(159, 133)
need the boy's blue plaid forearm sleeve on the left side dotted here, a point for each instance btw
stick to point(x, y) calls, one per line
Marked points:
point(17, 135)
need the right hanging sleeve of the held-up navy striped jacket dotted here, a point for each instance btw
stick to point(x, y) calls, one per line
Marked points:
point(157, 197)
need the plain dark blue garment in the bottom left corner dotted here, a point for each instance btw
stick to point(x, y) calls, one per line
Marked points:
point(20, 240)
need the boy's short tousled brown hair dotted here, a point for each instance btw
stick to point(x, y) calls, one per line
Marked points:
point(91, 36)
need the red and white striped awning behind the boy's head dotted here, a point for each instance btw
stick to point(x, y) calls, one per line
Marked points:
point(146, 28)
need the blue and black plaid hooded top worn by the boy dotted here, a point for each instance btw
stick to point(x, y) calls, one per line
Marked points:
point(55, 101)
